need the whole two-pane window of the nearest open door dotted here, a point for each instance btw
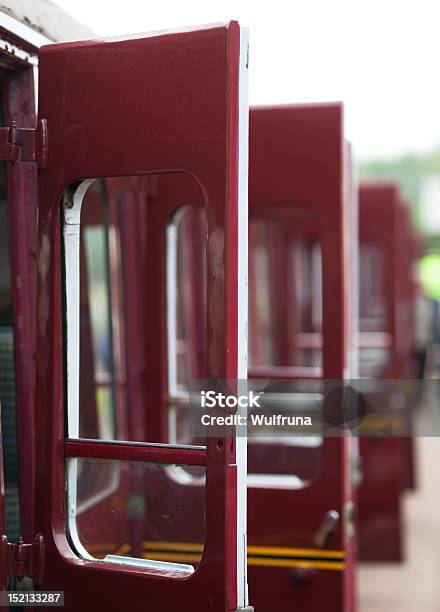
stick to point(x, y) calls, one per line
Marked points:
point(133, 509)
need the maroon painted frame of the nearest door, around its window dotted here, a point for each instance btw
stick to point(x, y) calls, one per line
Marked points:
point(143, 106)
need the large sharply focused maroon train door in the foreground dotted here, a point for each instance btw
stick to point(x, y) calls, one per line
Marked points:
point(165, 107)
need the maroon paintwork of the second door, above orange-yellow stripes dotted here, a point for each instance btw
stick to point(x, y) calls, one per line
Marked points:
point(298, 166)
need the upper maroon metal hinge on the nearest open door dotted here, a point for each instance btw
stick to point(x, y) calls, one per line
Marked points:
point(24, 144)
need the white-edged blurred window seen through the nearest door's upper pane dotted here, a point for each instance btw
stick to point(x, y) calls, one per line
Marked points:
point(186, 317)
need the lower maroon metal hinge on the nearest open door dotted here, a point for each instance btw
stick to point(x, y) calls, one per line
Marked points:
point(20, 559)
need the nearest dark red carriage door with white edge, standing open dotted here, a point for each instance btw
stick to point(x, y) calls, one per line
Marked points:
point(164, 103)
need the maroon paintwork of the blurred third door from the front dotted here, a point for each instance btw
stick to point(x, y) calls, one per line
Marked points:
point(387, 463)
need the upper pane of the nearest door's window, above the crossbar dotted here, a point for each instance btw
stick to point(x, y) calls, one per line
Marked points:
point(117, 286)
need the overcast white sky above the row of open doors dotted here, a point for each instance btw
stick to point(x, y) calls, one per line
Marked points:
point(380, 57)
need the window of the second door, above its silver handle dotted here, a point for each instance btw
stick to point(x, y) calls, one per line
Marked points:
point(285, 332)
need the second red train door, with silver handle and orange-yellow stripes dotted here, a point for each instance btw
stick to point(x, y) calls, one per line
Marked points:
point(300, 495)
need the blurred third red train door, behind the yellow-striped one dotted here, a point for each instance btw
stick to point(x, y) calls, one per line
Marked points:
point(385, 353)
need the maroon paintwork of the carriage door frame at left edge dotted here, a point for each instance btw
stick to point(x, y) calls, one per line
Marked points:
point(18, 105)
